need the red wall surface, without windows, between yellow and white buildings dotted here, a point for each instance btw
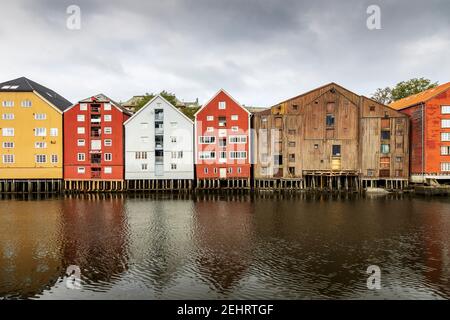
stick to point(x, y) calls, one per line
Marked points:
point(71, 149)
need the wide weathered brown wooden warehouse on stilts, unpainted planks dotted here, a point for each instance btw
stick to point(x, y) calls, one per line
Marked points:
point(330, 138)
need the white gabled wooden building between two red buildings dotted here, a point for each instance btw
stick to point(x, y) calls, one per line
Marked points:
point(159, 143)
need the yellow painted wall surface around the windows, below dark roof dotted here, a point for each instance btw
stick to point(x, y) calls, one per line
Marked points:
point(24, 123)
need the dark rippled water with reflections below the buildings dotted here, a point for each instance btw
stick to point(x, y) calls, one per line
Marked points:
point(227, 247)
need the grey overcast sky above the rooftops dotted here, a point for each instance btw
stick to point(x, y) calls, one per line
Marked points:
point(261, 52)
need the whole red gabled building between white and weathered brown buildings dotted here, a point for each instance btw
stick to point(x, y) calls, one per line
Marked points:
point(222, 143)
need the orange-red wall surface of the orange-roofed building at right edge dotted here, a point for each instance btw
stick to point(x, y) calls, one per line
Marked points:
point(430, 131)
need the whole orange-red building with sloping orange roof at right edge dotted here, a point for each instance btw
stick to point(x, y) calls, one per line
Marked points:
point(429, 112)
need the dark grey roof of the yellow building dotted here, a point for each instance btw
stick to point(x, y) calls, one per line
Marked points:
point(23, 84)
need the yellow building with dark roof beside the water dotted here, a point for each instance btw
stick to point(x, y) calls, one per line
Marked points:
point(31, 131)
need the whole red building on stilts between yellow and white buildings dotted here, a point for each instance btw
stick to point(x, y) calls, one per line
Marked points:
point(94, 145)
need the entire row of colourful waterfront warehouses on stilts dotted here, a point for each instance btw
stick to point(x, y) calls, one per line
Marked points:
point(327, 139)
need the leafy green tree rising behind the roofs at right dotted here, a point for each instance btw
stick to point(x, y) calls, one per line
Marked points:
point(403, 89)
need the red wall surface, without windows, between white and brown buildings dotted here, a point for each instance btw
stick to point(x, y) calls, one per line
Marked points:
point(201, 125)
